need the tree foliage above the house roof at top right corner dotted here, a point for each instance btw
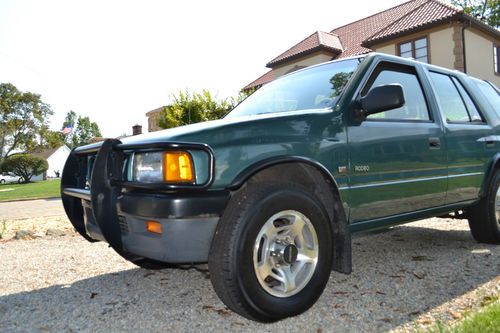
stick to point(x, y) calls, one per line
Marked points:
point(487, 11)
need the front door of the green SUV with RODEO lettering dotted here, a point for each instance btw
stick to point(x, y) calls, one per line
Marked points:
point(397, 157)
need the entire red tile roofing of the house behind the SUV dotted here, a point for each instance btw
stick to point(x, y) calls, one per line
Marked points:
point(355, 38)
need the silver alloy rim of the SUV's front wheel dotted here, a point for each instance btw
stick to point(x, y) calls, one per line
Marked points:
point(285, 253)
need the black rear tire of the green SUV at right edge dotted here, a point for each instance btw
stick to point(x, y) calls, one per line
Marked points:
point(484, 217)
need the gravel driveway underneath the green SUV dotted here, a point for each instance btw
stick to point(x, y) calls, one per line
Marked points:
point(431, 268)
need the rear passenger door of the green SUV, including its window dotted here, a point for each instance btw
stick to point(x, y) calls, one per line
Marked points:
point(468, 135)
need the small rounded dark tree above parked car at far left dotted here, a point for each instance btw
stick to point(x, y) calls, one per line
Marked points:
point(25, 165)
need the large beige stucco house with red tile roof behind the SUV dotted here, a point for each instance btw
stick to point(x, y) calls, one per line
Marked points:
point(427, 30)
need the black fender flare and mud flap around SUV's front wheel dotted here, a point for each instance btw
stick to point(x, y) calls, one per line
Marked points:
point(342, 247)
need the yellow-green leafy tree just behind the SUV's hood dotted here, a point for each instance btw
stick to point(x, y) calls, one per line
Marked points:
point(189, 108)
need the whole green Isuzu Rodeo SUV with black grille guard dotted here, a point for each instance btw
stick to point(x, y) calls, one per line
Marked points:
point(270, 194)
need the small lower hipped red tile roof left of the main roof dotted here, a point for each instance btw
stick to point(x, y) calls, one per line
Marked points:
point(316, 42)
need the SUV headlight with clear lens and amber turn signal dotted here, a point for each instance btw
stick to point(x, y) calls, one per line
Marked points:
point(158, 167)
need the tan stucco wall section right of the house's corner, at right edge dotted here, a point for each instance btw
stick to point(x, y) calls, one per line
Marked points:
point(479, 56)
